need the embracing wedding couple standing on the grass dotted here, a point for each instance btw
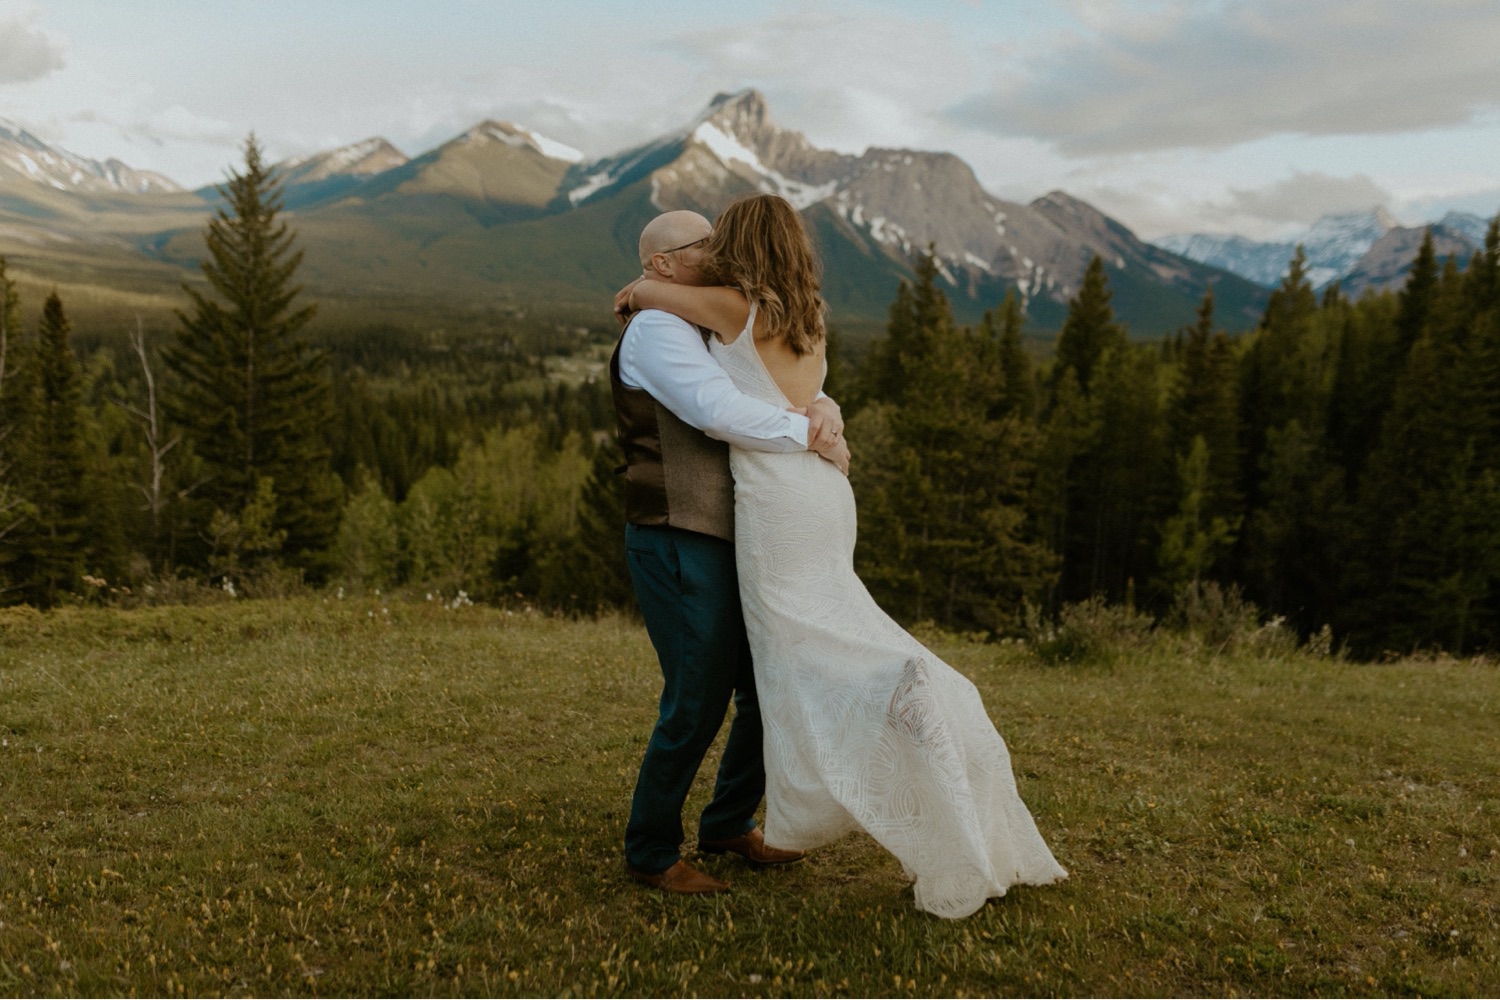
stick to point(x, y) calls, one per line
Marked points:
point(740, 543)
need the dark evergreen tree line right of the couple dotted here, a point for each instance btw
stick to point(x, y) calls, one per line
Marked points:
point(1339, 467)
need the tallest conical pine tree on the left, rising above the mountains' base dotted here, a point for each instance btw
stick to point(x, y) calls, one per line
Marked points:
point(250, 389)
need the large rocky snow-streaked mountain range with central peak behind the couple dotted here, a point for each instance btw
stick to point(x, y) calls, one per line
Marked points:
point(502, 217)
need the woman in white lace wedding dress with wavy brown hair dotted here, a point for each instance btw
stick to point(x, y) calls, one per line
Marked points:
point(865, 728)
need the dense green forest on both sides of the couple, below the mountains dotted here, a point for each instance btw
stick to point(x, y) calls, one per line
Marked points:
point(1339, 467)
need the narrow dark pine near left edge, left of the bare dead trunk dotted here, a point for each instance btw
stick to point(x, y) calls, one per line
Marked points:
point(55, 537)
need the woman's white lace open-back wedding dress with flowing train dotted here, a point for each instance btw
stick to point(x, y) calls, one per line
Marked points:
point(865, 728)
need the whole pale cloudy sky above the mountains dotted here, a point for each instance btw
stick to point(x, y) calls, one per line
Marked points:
point(1211, 116)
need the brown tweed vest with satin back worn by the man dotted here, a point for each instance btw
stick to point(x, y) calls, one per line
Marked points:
point(674, 475)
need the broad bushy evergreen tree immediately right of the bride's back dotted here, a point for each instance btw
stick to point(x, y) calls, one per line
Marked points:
point(944, 473)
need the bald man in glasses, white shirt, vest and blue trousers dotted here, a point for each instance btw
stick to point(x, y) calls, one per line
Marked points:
point(676, 413)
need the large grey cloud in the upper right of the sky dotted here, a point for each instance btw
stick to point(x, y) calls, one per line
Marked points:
point(1214, 76)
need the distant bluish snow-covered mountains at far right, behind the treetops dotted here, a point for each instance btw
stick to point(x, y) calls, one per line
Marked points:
point(1360, 250)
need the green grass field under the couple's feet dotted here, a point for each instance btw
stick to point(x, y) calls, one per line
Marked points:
point(349, 797)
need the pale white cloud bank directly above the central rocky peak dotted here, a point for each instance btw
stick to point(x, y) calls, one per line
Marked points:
point(845, 80)
